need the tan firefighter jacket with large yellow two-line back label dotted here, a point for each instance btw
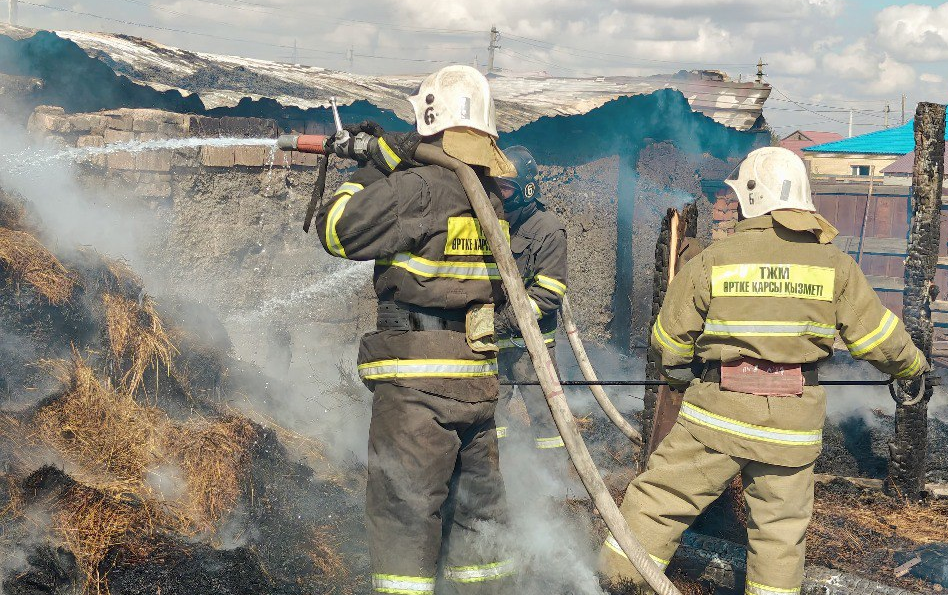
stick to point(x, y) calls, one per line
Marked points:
point(775, 290)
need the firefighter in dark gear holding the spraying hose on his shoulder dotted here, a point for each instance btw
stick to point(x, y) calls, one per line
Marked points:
point(435, 496)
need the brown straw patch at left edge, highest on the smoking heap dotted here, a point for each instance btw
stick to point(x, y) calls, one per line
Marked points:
point(29, 261)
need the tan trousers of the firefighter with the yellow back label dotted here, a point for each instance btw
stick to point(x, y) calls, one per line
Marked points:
point(683, 478)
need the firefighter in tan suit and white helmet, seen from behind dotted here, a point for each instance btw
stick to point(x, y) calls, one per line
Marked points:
point(754, 315)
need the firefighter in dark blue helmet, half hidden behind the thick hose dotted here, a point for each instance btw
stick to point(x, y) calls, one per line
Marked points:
point(538, 243)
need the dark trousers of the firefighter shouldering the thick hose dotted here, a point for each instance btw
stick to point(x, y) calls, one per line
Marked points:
point(436, 510)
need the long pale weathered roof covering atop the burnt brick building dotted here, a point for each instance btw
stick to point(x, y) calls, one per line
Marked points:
point(222, 81)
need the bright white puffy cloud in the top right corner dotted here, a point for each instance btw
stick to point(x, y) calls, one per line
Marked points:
point(914, 33)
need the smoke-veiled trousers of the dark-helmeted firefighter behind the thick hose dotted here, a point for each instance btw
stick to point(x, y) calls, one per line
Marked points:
point(516, 365)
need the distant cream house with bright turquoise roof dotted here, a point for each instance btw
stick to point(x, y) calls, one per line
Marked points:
point(860, 156)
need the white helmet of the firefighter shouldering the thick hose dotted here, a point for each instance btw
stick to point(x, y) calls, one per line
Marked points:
point(452, 97)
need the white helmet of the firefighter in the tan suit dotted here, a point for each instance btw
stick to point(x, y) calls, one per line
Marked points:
point(771, 178)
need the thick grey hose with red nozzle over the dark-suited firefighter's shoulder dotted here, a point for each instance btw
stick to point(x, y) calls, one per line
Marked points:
point(546, 371)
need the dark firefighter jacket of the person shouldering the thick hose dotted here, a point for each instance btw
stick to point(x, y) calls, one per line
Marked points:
point(419, 227)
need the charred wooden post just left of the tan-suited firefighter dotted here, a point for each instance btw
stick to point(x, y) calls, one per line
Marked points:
point(662, 404)
